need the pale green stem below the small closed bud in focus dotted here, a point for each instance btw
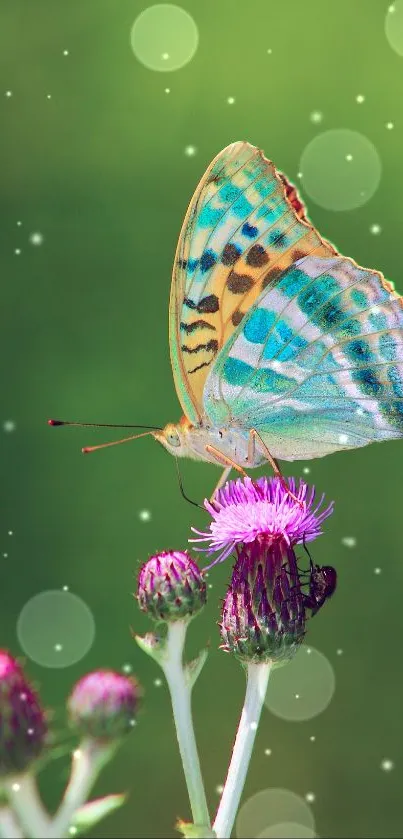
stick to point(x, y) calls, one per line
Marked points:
point(180, 687)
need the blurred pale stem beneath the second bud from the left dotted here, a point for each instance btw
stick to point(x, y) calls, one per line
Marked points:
point(87, 763)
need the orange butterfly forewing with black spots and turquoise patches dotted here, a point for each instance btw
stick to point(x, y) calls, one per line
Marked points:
point(245, 224)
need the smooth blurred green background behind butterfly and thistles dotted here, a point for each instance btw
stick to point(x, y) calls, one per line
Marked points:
point(93, 157)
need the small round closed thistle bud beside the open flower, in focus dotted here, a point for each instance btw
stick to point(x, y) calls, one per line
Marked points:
point(171, 586)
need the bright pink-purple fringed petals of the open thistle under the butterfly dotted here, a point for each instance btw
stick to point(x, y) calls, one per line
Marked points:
point(244, 510)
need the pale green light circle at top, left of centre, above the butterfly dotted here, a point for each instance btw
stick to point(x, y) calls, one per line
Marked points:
point(164, 37)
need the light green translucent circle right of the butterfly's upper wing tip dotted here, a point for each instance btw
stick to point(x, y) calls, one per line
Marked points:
point(341, 169)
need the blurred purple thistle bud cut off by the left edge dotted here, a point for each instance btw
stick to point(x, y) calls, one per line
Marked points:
point(23, 727)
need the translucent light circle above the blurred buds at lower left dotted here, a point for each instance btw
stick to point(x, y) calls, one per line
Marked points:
point(55, 628)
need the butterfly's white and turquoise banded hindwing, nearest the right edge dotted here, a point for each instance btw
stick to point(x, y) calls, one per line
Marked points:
point(317, 364)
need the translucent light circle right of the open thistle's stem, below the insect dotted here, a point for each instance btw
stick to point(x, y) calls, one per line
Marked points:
point(303, 688)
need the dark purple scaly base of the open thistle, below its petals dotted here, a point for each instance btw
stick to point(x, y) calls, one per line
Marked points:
point(263, 615)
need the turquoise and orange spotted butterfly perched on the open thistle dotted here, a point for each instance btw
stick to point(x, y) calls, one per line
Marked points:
point(281, 348)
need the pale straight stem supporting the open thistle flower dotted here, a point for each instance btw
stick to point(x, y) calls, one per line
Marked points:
point(256, 686)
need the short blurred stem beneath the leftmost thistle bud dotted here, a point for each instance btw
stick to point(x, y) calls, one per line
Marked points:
point(25, 802)
